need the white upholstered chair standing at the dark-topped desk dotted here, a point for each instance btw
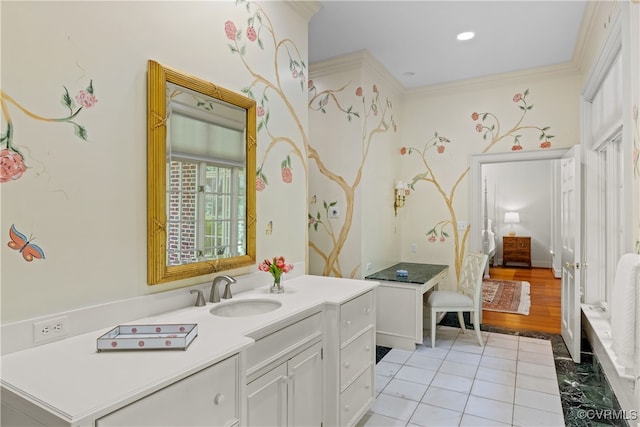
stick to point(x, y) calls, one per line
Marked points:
point(468, 297)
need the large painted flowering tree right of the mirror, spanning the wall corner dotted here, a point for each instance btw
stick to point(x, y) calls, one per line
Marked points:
point(259, 29)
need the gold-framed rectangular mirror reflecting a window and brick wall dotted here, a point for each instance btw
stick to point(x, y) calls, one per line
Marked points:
point(201, 168)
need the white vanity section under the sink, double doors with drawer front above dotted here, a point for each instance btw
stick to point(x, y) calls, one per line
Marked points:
point(284, 376)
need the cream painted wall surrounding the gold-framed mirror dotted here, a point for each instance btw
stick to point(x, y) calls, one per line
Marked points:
point(85, 201)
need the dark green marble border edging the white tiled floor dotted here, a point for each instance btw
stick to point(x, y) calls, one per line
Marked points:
point(583, 386)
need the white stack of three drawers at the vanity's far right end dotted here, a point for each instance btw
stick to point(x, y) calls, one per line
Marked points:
point(349, 359)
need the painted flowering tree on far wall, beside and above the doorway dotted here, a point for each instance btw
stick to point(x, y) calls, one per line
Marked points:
point(489, 126)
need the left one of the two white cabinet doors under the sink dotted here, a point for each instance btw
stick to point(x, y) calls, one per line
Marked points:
point(267, 399)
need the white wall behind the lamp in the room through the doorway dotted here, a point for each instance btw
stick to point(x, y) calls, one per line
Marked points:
point(524, 187)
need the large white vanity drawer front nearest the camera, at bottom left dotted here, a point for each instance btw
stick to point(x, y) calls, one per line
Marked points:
point(208, 397)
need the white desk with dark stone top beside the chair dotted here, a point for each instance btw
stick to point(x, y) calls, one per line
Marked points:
point(399, 317)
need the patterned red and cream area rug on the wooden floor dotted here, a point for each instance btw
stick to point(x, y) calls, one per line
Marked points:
point(507, 296)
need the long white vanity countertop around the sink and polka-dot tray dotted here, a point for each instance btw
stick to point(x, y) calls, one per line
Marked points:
point(74, 381)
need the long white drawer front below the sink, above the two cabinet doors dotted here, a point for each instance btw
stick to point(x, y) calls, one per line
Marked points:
point(272, 347)
